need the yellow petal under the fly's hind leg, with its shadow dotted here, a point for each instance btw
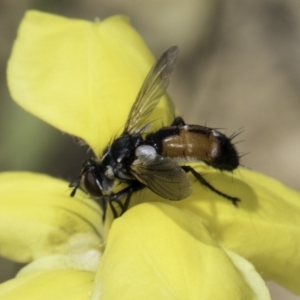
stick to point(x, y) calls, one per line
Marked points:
point(264, 228)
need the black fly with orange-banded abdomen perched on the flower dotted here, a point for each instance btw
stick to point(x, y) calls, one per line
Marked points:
point(155, 160)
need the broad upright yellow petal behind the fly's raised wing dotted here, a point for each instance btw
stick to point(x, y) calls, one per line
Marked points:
point(81, 77)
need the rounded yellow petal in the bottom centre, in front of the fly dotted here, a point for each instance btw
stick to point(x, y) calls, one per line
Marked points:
point(157, 251)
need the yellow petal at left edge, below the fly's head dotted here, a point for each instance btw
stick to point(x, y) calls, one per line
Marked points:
point(38, 217)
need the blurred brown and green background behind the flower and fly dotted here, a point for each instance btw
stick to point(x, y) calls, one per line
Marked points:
point(239, 67)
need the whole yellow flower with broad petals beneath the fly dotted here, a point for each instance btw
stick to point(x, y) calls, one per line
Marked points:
point(82, 77)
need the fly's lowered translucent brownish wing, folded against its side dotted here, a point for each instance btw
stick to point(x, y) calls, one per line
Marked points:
point(162, 176)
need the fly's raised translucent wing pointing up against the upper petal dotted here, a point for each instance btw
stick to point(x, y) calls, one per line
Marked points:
point(153, 88)
